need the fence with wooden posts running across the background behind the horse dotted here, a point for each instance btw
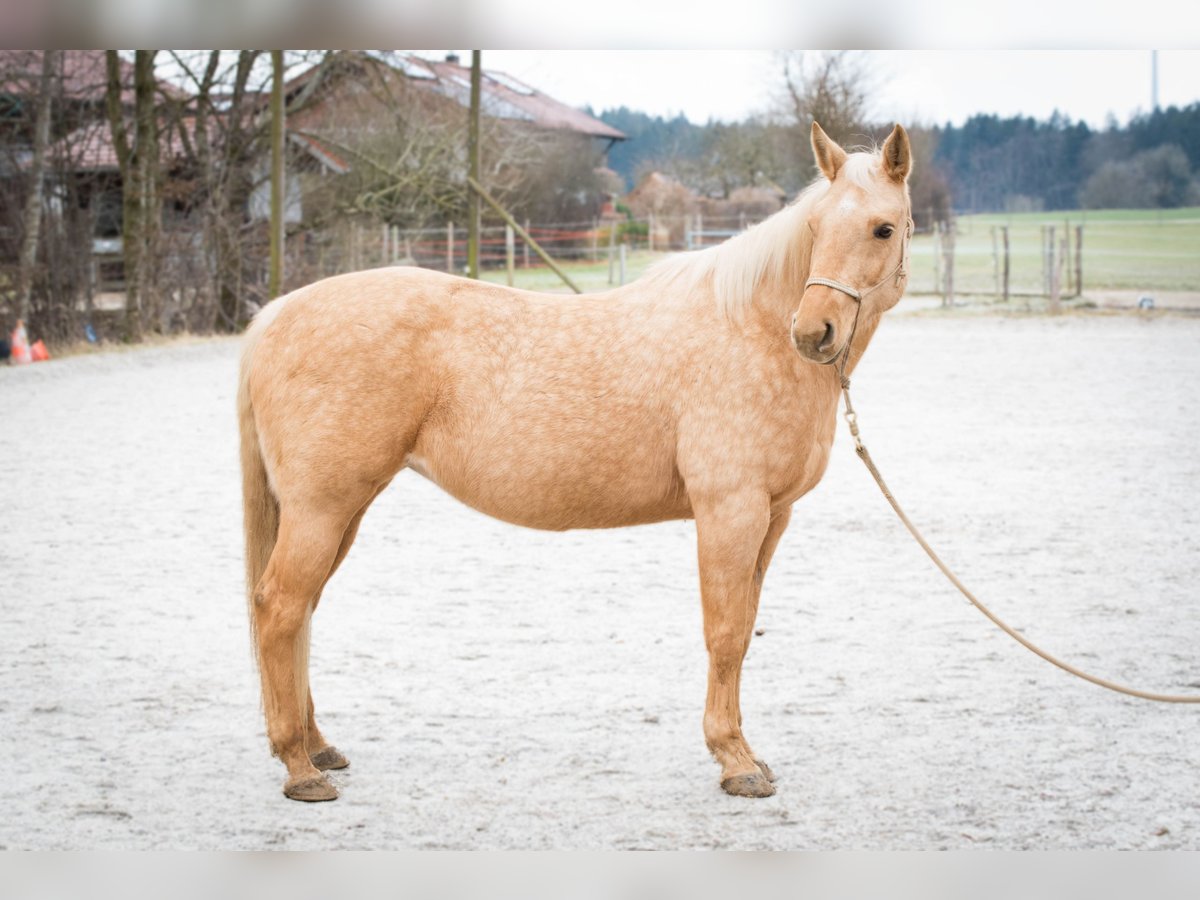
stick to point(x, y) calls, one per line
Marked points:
point(1018, 257)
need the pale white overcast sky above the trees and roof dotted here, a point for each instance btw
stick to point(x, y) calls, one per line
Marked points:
point(934, 87)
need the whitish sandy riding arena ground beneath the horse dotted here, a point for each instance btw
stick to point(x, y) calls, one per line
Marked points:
point(503, 688)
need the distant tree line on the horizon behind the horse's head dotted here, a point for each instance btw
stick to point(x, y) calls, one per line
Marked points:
point(986, 165)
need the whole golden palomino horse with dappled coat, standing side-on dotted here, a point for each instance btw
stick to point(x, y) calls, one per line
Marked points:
point(704, 391)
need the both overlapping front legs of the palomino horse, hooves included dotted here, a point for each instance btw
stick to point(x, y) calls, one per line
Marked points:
point(733, 532)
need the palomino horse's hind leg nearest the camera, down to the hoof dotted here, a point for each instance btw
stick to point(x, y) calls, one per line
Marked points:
point(301, 565)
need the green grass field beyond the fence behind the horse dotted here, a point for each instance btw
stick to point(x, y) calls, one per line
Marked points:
point(1124, 250)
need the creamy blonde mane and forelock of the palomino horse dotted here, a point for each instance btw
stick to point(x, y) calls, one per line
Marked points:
point(775, 253)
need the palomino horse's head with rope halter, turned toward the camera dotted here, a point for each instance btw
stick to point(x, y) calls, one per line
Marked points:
point(861, 230)
